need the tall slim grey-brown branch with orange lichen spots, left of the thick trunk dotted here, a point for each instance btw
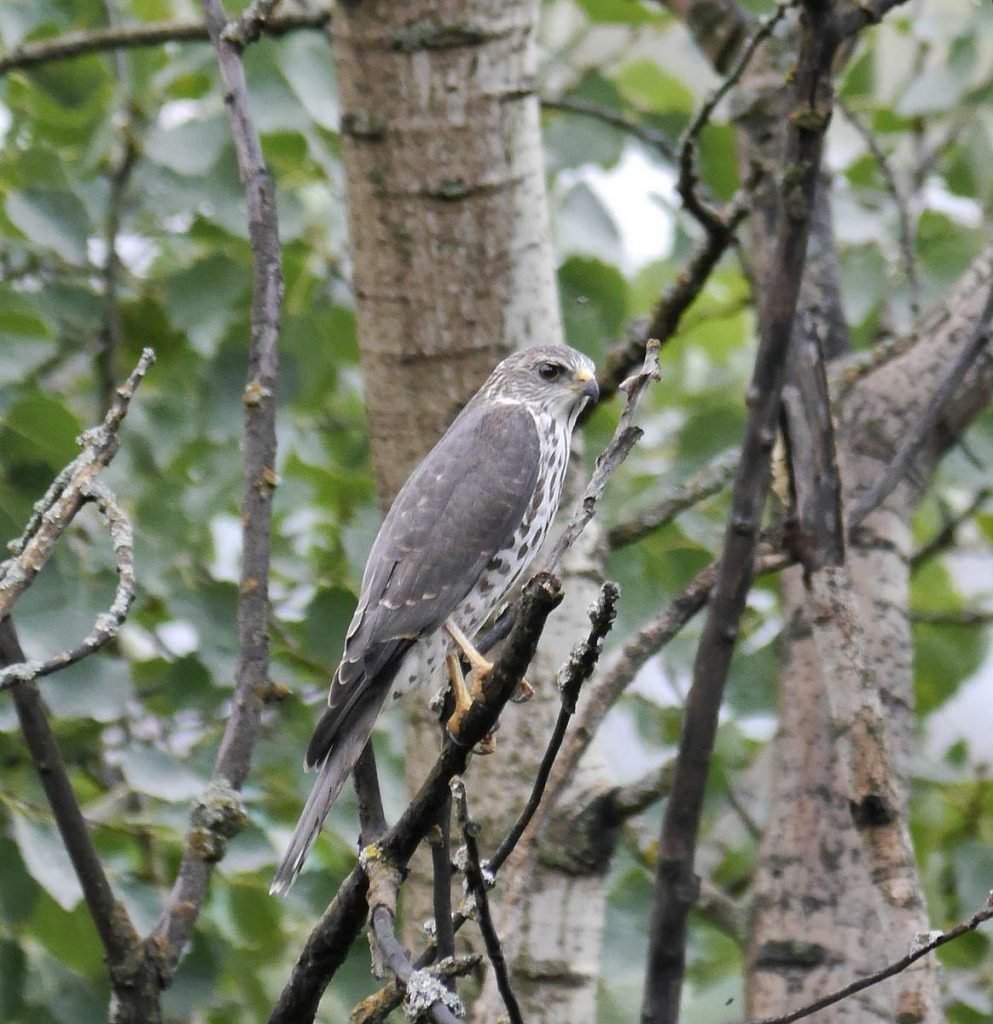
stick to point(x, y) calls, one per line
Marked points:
point(258, 444)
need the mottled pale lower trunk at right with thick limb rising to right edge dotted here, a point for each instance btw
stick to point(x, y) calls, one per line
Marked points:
point(838, 892)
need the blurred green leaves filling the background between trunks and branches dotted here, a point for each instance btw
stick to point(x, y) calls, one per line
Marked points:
point(141, 723)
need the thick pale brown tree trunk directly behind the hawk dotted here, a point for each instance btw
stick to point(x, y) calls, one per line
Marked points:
point(453, 269)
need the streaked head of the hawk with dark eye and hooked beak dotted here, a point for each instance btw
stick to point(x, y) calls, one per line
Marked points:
point(553, 379)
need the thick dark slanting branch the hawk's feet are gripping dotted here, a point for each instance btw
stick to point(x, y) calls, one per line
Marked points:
point(329, 944)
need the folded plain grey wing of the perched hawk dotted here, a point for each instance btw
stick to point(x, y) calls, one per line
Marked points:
point(457, 509)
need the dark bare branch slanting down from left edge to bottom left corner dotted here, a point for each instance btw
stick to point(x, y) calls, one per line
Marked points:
point(135, 978)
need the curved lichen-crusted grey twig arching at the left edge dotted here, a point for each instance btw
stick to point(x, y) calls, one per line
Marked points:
point(109, 624)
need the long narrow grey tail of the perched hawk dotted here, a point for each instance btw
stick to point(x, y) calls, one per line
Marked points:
point(331, 778)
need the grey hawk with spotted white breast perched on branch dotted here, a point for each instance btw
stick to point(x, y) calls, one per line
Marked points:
point(462, 531)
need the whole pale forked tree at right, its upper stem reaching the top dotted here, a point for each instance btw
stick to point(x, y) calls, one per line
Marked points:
point(836, 890)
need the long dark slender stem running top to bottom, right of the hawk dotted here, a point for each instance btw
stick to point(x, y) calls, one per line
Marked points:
point(675, 879)
